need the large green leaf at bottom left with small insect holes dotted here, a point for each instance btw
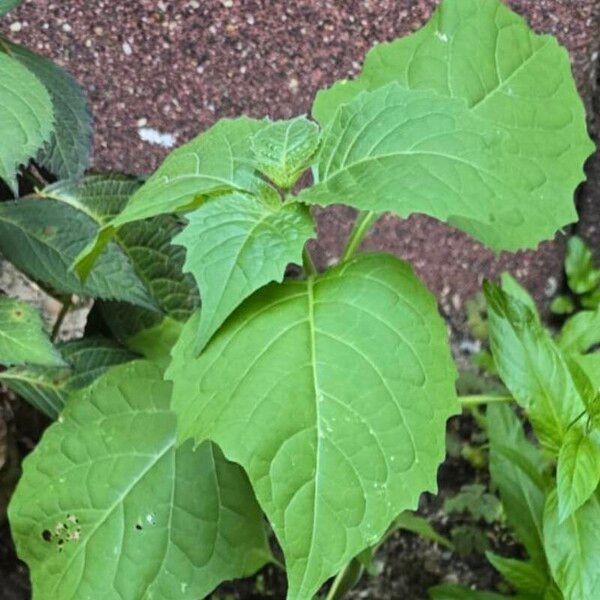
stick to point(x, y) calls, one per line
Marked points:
point(107, 499)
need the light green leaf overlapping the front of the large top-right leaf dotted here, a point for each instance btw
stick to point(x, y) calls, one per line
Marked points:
point(408, 151)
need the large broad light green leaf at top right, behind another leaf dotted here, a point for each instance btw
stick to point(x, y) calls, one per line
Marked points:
point(518, 84)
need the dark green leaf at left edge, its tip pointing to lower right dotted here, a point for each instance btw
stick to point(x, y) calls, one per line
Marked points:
point(42, 237)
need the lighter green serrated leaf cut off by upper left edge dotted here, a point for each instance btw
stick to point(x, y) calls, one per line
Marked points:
point(26, 116)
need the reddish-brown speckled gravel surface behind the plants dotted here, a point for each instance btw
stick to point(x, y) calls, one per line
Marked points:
point(178, 66)
